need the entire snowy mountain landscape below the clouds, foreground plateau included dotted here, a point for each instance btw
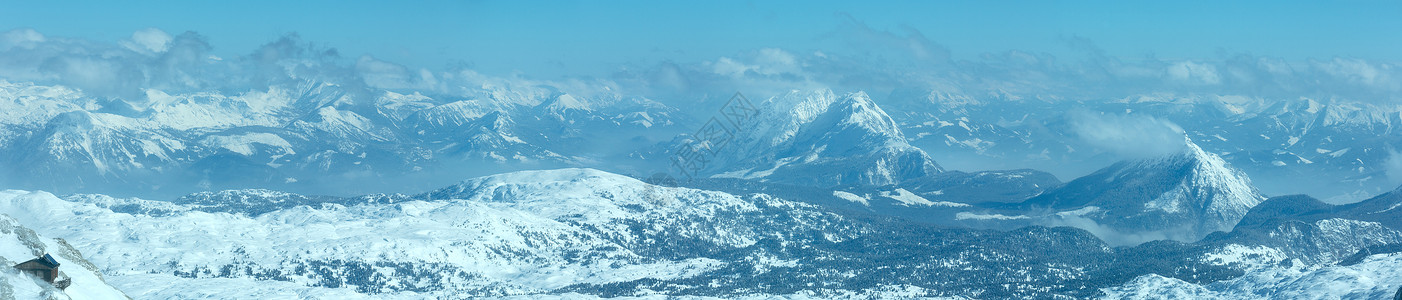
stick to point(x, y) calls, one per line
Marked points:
point(319, 190)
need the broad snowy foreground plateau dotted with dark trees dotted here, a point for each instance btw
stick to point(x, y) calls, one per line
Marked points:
point(557, 232)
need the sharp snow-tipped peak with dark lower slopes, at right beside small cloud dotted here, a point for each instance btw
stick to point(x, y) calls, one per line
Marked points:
point(1183, 197)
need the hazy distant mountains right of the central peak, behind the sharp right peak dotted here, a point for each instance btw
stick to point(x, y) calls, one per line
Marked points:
point(1340, 144)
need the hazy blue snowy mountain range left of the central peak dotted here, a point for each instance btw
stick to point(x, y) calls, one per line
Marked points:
point(295, 135)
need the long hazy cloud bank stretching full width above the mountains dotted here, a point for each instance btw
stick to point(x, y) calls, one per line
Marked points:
point(853, 58)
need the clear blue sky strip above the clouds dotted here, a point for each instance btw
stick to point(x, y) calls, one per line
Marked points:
point(552, 39)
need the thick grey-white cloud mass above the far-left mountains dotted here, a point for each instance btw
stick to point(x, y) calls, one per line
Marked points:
point(154, 60)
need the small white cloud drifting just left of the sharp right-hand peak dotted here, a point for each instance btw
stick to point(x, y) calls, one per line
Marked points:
point(1128, 137)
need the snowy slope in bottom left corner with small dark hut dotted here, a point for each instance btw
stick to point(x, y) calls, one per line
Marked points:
point(20, 245)
